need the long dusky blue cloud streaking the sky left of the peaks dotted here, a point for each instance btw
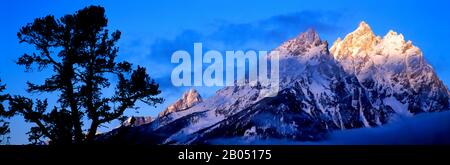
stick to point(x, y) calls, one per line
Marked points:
point(258, 35)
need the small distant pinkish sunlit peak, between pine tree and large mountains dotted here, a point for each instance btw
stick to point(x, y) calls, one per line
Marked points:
point(187, 100)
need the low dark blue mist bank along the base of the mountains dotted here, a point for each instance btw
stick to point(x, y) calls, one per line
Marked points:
point(423, 129)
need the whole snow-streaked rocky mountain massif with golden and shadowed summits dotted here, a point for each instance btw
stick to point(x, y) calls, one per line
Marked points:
point(363, 81)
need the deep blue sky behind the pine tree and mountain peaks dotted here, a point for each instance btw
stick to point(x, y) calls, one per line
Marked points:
point(152, 31)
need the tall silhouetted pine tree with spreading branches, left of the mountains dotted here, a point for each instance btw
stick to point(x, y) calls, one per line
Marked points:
point(81, 54)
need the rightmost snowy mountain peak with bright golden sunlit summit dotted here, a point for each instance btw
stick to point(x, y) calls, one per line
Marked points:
point(392, 70)
